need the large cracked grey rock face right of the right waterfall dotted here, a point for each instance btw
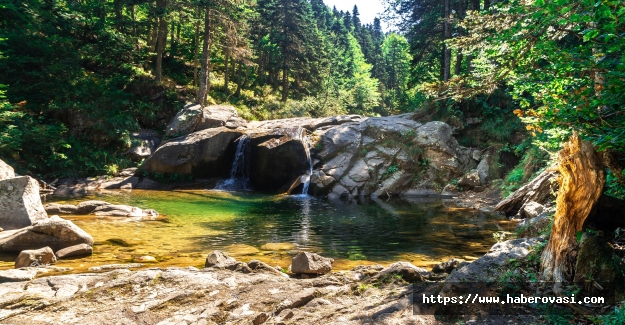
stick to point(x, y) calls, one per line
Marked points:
point(387, 156)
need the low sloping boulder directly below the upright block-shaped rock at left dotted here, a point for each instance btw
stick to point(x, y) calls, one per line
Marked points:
point(54, 232)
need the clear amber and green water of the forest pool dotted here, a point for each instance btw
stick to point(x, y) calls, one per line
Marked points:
point(196, 222)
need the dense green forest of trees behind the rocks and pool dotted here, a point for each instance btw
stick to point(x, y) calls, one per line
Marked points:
point(517, 76)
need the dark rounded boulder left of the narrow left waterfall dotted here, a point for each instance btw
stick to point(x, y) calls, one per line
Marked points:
point(207, 153)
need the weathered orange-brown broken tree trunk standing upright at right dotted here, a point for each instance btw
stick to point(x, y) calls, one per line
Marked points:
point(582, 178)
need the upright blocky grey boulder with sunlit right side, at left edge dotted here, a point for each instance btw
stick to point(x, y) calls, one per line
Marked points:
point(20, 203)
